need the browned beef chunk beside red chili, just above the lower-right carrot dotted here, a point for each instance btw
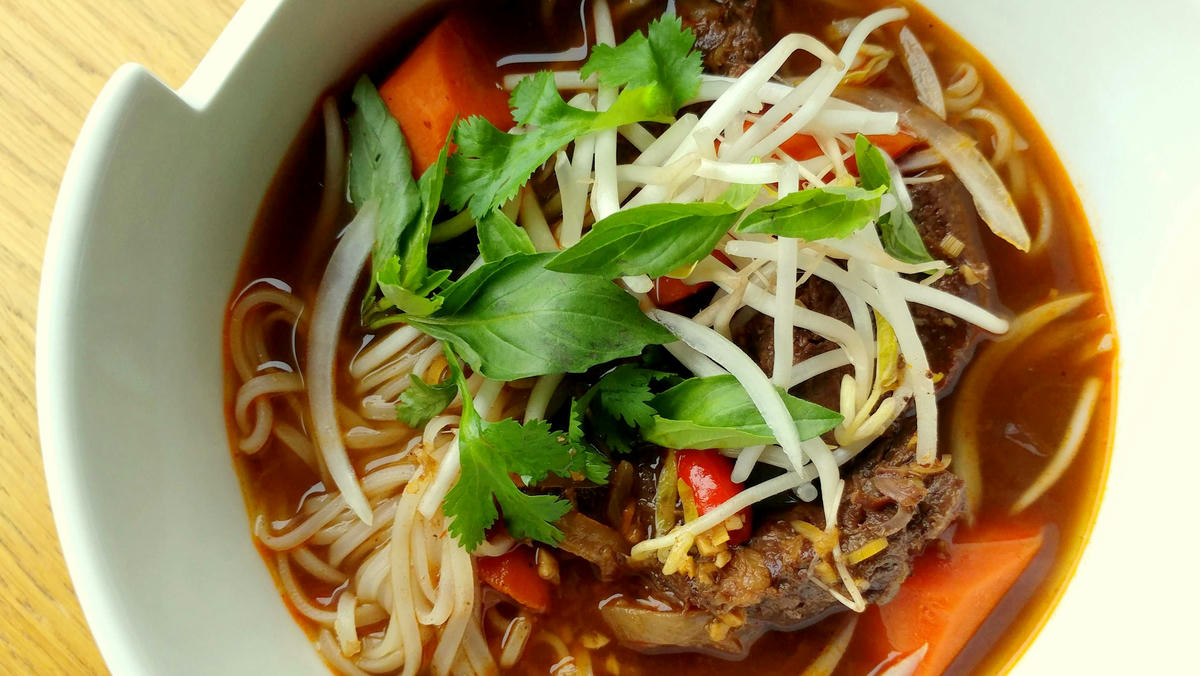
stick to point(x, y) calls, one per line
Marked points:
point(769, 578)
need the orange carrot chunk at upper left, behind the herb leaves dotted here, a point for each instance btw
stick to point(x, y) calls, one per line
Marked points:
point(448, 76)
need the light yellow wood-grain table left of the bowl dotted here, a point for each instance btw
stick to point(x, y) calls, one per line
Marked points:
point(55, 58)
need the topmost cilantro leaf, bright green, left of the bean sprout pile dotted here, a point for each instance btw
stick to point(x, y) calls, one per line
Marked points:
point(662, 58)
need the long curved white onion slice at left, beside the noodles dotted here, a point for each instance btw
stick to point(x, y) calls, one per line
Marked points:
point(333, 298)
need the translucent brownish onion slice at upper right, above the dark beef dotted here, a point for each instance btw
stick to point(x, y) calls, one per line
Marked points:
point(992, 199)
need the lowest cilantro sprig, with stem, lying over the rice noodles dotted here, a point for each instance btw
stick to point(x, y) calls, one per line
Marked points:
point(489, 454)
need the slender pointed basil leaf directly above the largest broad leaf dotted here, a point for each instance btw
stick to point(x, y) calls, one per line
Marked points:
point(653, 240)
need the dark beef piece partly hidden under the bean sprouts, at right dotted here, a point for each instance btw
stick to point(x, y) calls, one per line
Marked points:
point(940, 210)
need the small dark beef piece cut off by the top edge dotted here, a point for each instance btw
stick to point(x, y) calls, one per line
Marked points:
point(725, 33)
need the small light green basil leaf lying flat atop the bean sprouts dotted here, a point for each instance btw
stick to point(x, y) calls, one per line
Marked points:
point(817, 213)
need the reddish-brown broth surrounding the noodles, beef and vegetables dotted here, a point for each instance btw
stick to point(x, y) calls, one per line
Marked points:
point(1028, 404)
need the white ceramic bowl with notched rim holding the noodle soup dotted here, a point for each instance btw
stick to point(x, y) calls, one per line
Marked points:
point(164, 187)
